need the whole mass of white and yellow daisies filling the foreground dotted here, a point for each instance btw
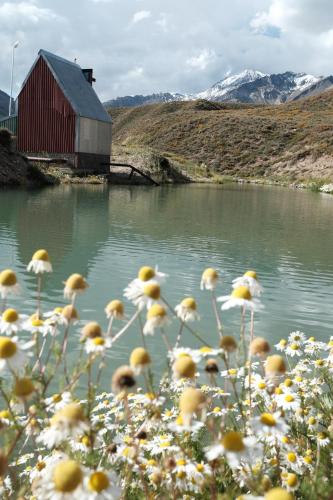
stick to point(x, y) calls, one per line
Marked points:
point(239, 419)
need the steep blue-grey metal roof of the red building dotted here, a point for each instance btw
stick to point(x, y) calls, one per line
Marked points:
point(75, 87)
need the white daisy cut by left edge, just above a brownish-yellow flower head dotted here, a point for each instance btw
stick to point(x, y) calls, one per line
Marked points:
point(12, 355)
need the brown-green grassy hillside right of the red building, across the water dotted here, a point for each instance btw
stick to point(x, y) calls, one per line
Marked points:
point(294, 140)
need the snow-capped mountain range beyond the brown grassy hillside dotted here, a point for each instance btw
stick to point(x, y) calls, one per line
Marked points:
point(249, 86)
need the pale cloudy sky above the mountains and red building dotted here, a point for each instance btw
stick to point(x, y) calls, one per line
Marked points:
point(144, 46)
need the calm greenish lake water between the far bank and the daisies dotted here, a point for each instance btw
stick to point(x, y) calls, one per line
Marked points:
point(107, 233)
